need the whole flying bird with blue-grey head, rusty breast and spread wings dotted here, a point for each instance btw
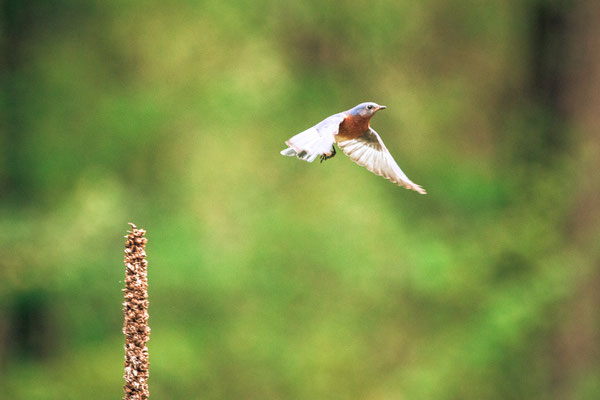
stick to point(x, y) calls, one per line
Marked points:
point(353, 134)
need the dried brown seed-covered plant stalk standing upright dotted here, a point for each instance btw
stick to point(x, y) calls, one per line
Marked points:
point(135, 308)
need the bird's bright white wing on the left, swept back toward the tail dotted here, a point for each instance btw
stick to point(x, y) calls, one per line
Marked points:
point(315, 141)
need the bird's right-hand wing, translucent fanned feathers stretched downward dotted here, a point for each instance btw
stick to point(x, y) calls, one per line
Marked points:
point(369, 151)
